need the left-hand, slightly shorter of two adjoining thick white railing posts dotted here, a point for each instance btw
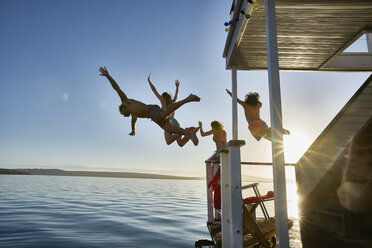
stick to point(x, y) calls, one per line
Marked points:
point(225, 200)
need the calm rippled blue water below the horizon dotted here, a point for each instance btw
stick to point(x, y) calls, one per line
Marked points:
point(53, 211)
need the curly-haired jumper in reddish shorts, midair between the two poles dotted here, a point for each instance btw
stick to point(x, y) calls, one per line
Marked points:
point(256, 126)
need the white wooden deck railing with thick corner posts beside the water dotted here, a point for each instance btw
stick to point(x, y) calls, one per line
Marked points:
point(227, 159)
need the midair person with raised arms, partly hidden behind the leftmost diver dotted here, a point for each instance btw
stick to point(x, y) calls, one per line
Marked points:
point(165, 101)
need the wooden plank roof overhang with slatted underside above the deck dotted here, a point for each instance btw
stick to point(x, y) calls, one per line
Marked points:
point(311, 35)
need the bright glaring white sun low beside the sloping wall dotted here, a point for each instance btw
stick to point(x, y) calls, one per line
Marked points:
point(295, 145)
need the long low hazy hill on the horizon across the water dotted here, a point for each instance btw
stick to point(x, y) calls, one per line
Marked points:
point(58, 172)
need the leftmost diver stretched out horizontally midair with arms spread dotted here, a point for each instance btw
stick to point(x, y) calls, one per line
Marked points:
point(160, 116)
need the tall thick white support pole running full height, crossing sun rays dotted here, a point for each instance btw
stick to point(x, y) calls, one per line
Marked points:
point(281, 218)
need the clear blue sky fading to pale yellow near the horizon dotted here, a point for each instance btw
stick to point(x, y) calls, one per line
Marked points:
point(57, 112)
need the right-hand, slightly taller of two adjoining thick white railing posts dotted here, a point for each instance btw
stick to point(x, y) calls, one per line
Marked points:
point(236, 215)
